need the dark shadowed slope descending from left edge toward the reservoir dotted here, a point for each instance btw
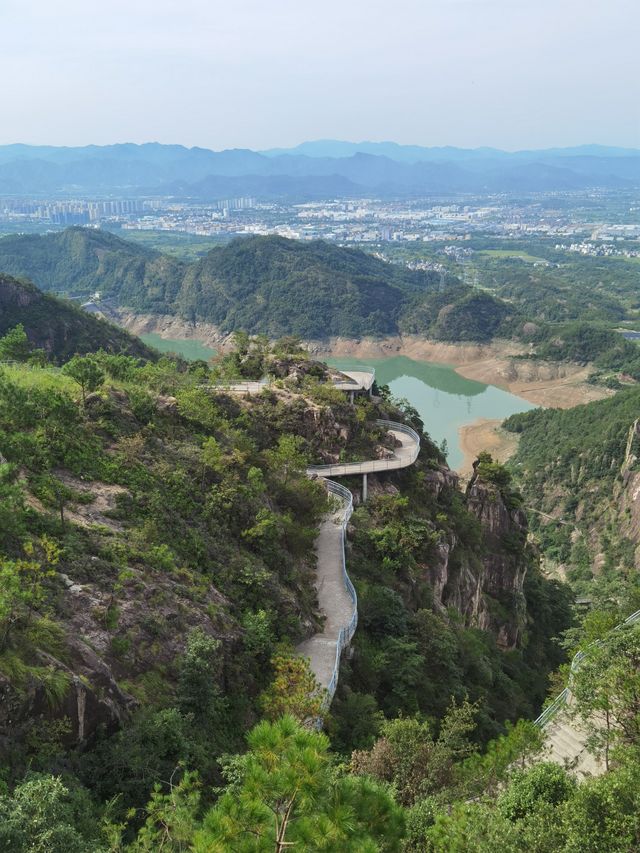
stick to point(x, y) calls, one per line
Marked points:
point(58, 326)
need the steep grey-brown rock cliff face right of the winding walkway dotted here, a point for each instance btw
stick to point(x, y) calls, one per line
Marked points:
point(486, 587)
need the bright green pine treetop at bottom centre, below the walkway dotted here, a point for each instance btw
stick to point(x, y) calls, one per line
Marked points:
point(289, 795)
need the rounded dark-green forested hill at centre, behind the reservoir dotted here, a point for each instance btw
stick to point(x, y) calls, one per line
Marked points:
point(280, 286)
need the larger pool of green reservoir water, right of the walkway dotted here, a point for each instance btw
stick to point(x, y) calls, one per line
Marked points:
point(444, 399)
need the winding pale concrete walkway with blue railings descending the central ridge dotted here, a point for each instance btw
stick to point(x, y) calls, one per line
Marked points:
point(336, 594)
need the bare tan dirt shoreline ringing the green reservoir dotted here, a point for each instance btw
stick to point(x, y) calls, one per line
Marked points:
point(545, 383)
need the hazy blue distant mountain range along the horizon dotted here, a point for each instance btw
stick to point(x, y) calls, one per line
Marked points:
point(313, 170)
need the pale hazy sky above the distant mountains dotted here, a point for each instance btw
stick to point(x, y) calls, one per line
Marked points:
point(263, 73)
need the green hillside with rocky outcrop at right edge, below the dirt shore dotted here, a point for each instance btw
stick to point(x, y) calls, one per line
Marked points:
point(573, 469)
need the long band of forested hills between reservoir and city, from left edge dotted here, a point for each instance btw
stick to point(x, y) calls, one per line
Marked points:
point(267, 285)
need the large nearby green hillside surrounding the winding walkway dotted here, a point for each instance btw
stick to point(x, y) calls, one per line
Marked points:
point(157, 560)
